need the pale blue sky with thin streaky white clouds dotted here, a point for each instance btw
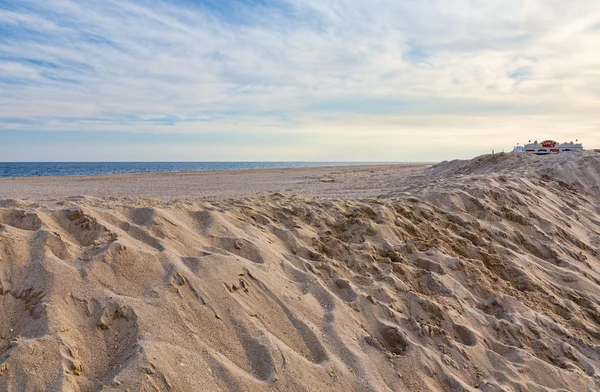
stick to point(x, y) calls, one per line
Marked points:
point(294, 80)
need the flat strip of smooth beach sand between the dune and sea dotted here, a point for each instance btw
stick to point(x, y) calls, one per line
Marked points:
point(331, 181)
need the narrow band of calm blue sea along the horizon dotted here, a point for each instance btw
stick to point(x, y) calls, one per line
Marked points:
point(37, 169)
